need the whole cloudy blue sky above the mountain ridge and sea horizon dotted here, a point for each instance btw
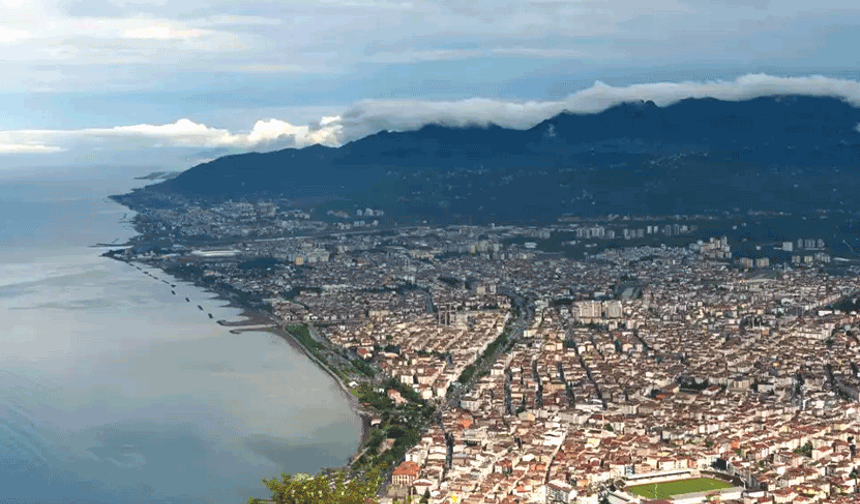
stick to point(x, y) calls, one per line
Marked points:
point(172, 84)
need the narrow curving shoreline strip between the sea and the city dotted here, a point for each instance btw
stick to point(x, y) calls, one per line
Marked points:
point(259, 320)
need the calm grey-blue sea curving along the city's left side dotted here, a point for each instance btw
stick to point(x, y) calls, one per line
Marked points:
point(113, 389)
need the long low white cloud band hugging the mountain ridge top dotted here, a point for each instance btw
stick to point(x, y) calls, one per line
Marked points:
point(370, 116)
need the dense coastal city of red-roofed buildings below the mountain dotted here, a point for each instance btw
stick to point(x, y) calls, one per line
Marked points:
point(583, 361)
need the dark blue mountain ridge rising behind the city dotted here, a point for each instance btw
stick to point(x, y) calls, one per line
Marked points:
point(697, 155)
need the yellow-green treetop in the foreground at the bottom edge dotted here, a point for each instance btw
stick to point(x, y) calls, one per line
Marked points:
point(329, 488)
